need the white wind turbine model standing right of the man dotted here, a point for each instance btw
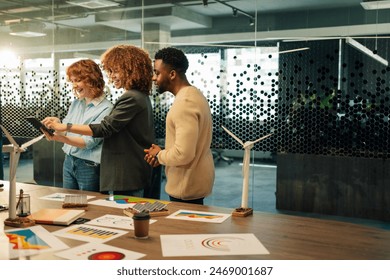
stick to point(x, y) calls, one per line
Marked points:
point(244, 210)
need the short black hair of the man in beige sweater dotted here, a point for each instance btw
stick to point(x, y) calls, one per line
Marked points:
point(174, 58)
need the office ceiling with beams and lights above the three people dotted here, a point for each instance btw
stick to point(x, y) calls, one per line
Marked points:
point(96, 25)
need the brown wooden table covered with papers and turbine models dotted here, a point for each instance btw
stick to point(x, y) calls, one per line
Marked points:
point(286, 237)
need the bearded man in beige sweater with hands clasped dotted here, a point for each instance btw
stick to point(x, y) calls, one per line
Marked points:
point(188, 161)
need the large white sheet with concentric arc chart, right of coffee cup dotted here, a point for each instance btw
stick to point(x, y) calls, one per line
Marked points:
point(177, 245)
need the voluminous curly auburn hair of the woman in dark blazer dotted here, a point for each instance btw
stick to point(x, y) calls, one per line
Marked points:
point(134, 65)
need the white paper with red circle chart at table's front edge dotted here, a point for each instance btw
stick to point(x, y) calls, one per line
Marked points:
point(96, 251)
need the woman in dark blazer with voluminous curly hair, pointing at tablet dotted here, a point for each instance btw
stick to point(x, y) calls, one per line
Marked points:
point(129, 128)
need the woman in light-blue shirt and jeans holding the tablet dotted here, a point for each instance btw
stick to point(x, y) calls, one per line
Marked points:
point(81, 166)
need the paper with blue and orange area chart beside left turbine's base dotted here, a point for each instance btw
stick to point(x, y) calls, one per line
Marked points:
point(32, 241)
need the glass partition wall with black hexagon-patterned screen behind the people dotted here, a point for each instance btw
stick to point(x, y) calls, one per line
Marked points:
point(315, 75)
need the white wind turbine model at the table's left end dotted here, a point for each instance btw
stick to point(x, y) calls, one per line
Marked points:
point(14, 150)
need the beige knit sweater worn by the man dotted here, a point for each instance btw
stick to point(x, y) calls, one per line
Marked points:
point(189, 165)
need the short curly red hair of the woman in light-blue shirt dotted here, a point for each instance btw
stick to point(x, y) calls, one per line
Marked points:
point(88, 71)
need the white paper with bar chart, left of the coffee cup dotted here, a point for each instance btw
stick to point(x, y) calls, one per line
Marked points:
point(89, 233)
